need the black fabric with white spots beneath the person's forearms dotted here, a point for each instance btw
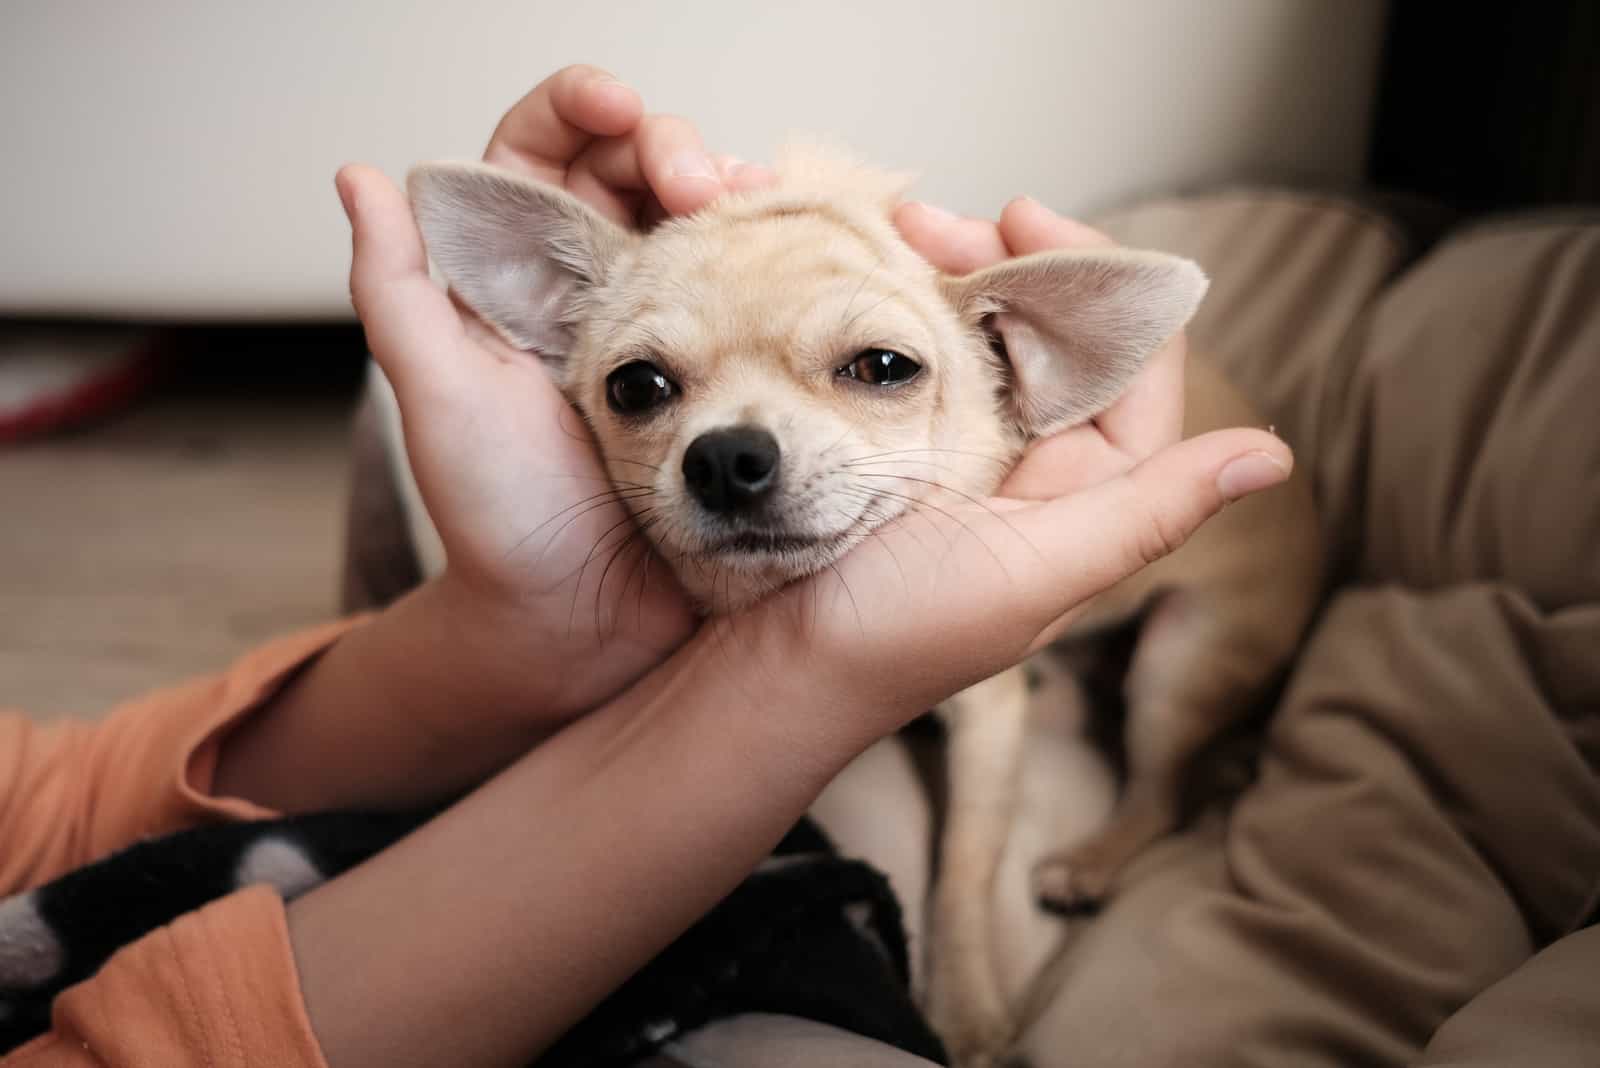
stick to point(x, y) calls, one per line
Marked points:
point(809, 934)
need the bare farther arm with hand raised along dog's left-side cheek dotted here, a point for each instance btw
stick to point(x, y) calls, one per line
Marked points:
point(375, 722)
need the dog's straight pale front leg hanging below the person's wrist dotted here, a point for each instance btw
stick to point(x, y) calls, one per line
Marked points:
point(966, 1000)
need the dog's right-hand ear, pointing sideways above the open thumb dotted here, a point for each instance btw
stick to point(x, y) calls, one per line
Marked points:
point(1074, 327)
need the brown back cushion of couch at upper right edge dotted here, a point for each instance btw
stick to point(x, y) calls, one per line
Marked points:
point(1466, 447)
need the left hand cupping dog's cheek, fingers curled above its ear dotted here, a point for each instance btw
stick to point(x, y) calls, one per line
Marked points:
point(540, 549)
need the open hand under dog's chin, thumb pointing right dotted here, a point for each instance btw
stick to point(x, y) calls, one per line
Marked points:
point(946, 597)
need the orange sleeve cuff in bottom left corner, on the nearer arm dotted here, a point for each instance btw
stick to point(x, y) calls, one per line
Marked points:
point(218, 989)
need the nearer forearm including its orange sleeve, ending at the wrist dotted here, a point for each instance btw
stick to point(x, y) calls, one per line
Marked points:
point(497, 927)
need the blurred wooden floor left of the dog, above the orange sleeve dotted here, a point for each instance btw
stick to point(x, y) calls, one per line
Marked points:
point(167, 541)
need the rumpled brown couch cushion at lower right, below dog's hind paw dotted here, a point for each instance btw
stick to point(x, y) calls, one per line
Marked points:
point(1422, 826)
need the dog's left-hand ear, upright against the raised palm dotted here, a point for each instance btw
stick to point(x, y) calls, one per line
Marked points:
point(519, 253)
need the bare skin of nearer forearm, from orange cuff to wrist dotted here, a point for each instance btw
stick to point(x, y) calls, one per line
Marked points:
point(545, 890)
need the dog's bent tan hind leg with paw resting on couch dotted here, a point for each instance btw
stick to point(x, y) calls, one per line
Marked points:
point(1193, 674)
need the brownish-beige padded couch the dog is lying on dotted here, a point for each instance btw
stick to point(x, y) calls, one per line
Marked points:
point(1409, 872)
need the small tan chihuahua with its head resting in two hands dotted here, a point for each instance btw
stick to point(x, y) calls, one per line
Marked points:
point(780, 375)
